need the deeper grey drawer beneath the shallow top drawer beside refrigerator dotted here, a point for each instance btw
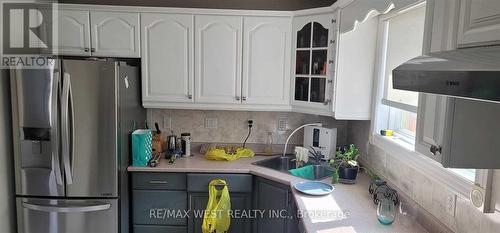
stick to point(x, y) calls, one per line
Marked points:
point(158, 207)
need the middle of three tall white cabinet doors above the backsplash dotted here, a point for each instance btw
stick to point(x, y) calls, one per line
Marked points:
point(218, 59)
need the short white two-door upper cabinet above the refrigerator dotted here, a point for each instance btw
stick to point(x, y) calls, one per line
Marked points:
point(87, 32)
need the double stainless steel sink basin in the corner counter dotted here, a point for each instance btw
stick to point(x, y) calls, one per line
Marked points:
point(285, 163)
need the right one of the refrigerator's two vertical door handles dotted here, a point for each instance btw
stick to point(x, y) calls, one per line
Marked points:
point(66, 147)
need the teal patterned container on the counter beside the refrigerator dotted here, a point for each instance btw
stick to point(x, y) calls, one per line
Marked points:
point(142, 147)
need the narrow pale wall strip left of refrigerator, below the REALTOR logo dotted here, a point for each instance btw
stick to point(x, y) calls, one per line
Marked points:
point(7, 212)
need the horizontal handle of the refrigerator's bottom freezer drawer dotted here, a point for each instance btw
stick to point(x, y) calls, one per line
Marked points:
point(67, 208)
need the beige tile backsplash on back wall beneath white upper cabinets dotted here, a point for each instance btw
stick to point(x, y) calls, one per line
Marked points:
point(232, 125)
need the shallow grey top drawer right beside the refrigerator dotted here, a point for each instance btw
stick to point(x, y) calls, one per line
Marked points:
point(158, 181)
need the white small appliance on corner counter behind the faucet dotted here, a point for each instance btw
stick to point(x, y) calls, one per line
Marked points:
point(321, 139)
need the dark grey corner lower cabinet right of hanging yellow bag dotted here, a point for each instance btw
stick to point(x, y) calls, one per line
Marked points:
point(276, 202)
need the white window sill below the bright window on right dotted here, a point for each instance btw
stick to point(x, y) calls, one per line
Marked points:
point(406, 153)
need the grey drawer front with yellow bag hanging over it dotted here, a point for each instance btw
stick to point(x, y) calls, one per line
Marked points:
point(236, 182)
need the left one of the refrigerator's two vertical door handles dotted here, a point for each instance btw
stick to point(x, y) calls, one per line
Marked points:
point(55, 129)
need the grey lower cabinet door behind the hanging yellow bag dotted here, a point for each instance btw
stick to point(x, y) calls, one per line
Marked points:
point(239, 202)
